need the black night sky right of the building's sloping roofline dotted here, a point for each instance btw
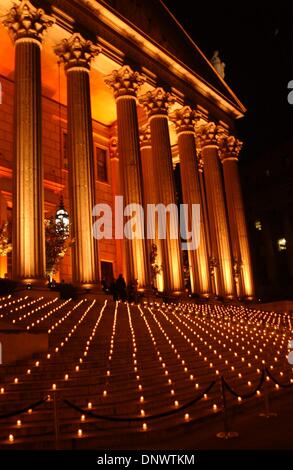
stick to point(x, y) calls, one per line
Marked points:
point(255, 41)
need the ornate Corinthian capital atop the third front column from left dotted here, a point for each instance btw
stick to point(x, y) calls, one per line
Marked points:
point(124, 82)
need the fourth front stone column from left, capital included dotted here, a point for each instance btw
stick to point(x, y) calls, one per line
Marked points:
point(156, 104)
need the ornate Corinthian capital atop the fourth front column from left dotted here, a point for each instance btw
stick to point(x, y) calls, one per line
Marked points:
point(157, 102)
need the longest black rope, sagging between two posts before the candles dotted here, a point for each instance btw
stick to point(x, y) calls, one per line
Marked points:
point(140, 418)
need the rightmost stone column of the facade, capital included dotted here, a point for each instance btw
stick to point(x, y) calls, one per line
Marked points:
point(230, 148)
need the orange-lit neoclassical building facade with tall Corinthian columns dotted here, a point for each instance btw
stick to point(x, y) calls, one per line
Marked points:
point(97, 102)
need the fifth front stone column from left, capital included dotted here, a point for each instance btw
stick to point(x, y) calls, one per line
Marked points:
point(184, 120)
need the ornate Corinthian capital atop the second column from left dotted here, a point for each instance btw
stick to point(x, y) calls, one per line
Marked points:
point(77, 52)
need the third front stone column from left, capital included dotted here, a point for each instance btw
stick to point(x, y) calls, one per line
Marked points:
point(125, 84)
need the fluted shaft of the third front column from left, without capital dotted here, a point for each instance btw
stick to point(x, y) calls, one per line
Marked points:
point(130, 169)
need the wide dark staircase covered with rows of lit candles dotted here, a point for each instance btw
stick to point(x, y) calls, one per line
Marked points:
point(120, 375)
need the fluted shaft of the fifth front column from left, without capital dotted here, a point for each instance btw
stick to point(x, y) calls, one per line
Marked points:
point(198, 258)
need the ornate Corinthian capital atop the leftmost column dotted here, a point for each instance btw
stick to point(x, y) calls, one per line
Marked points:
point(24, 20)
